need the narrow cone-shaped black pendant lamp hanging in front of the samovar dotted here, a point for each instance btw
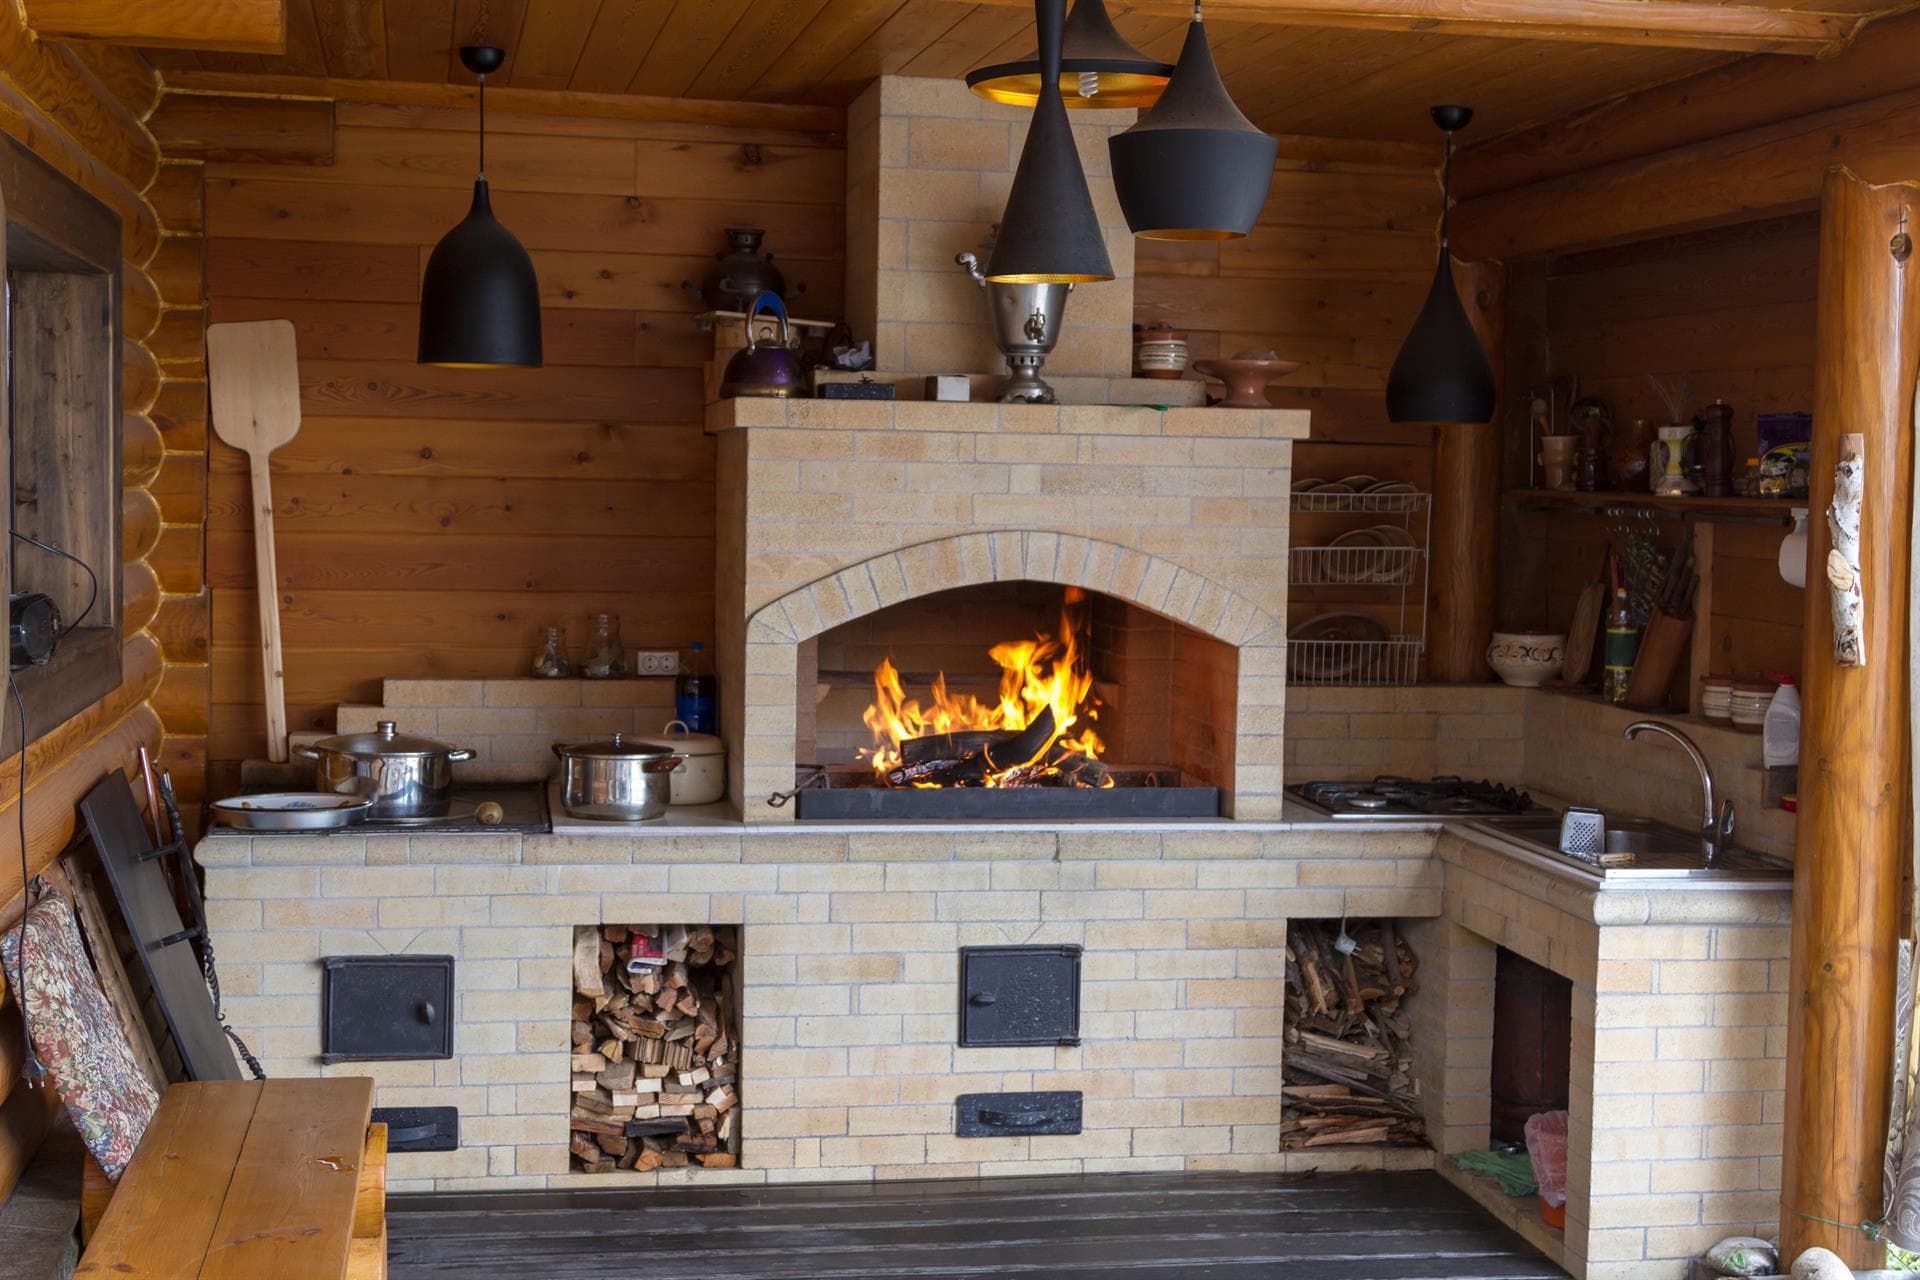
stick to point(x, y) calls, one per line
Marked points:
point(1049, 233)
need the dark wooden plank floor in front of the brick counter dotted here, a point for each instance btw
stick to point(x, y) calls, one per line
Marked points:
point(1145, 1227)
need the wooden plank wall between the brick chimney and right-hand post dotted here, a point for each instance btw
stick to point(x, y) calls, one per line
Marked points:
point(1332, 277)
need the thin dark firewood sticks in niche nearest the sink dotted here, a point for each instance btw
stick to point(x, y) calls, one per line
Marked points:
point(1349, 1064)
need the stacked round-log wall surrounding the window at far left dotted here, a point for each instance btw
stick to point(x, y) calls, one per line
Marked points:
point(84, 112)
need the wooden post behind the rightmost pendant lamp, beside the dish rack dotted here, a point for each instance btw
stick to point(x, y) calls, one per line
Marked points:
point(1466, 536)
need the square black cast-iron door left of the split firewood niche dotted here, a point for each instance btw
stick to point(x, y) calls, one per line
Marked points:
point(385, 1008)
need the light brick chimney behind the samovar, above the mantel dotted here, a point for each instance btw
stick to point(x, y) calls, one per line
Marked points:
point(930, 168)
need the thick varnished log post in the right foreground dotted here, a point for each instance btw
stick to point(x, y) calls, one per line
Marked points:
point(1854, 776)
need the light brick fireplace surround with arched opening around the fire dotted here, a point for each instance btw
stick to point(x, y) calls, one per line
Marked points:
point(855, 506)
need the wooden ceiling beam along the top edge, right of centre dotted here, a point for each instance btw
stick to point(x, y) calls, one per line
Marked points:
point(1650, 24)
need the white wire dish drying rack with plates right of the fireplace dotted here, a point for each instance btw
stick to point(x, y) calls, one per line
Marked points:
point(1353, 573)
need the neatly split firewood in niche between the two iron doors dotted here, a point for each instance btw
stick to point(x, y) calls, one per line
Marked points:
point(656, 1047)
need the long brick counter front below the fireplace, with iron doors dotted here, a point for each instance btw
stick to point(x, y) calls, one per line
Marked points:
point(850, 976)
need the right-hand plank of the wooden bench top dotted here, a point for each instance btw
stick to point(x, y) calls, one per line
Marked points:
point(295, 1181)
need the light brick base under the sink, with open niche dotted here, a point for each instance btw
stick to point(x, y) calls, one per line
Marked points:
point(1679, 1051)
